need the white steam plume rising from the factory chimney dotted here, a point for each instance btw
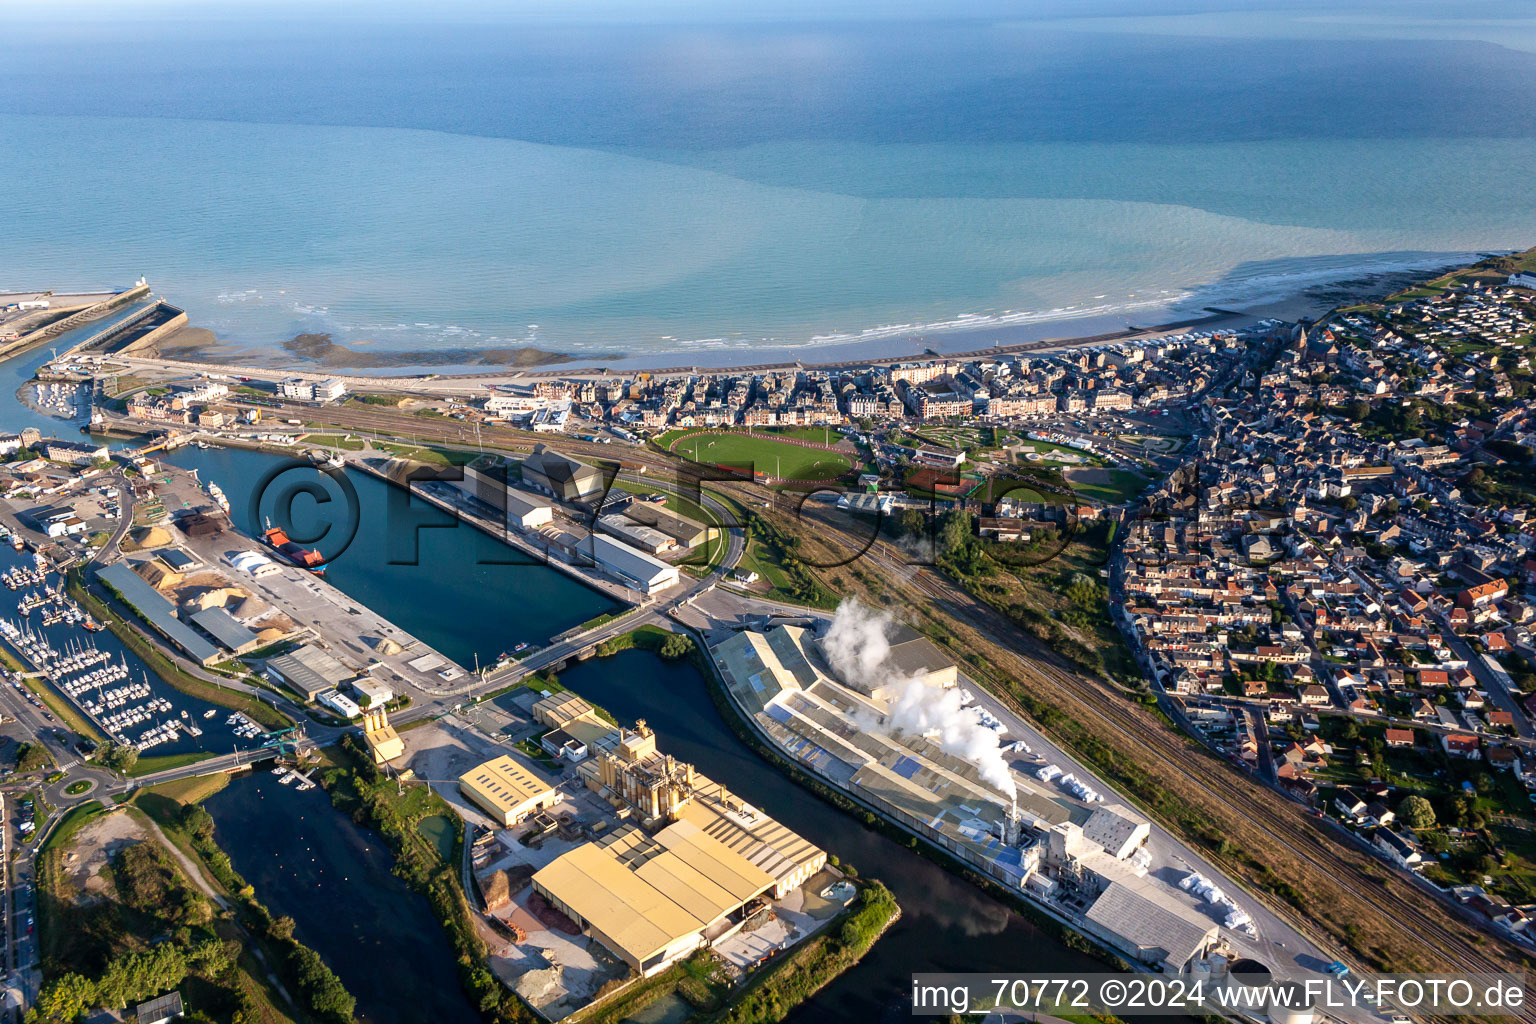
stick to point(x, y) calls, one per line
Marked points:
point(859, 652)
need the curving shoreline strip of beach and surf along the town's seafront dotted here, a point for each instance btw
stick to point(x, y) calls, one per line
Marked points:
point(950, 340)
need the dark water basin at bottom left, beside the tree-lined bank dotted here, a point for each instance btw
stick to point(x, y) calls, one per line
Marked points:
point(310, 862)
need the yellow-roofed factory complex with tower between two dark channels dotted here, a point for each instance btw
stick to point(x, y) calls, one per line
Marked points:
point(638, 853)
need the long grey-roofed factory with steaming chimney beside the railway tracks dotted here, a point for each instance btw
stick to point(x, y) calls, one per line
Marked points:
point(1024, 824)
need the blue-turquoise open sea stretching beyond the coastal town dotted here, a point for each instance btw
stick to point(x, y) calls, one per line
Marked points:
point(715, 183)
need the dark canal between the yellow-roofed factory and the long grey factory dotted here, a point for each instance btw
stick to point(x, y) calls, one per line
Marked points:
point(947, 925)
